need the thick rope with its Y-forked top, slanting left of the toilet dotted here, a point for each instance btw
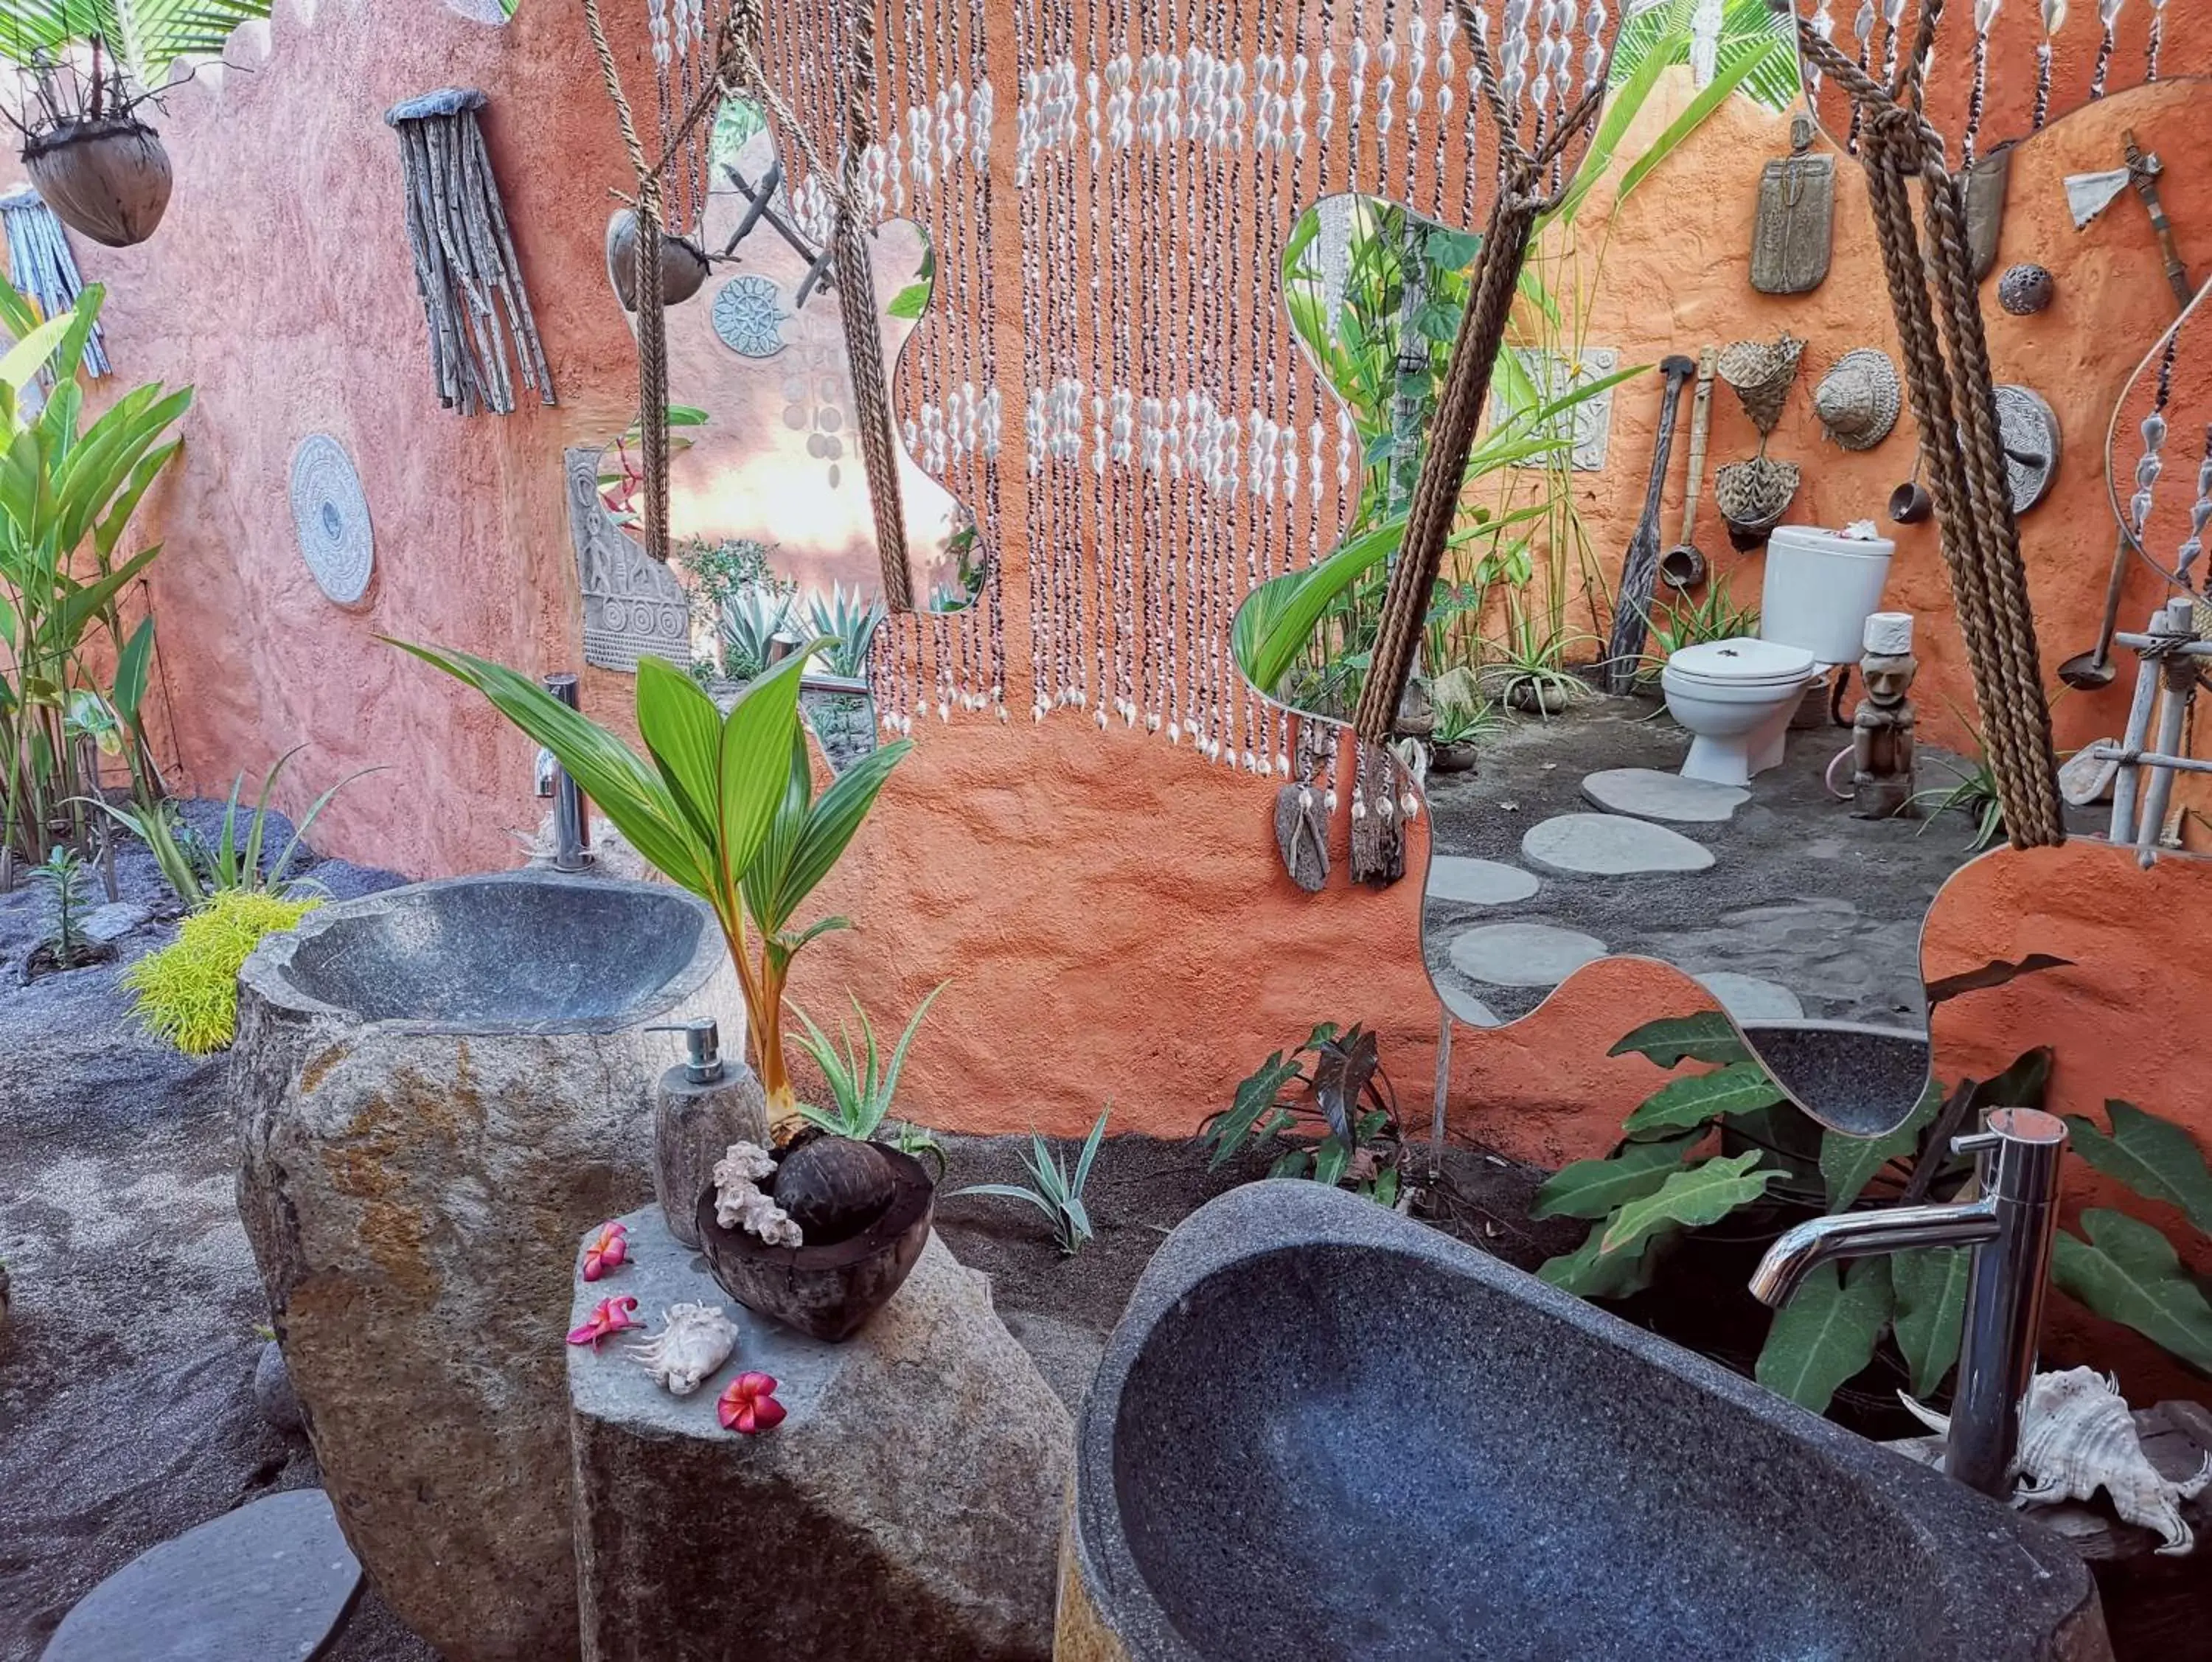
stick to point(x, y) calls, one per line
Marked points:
point(1468, 388)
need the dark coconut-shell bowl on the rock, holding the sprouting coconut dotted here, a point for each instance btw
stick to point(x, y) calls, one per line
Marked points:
point(831, 1289)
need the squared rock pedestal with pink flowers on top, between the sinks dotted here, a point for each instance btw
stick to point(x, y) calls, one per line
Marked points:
point(904, 1513)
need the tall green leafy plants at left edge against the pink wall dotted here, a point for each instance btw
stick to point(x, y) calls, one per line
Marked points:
point(72, 674)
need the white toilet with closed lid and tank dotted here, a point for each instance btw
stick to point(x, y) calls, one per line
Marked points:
point(1738, 696)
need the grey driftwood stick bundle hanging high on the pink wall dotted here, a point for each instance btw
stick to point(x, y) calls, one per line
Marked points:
point(474, 302)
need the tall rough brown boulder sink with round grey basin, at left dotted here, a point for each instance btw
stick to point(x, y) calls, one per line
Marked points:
point(439, 1090)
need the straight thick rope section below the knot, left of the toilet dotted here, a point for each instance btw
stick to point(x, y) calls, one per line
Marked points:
point(1437, 492)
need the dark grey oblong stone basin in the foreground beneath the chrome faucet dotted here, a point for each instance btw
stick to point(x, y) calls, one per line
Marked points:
point(1335, 1435)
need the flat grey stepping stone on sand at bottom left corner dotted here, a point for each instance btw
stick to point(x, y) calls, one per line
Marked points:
point(264, 1581)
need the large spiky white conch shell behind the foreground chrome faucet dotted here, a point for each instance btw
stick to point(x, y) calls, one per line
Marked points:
point(2078, 1437)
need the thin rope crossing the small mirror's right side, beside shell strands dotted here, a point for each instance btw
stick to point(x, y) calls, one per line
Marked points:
point(864, 333)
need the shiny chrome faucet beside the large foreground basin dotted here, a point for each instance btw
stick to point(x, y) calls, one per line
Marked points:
point(2010, 1227)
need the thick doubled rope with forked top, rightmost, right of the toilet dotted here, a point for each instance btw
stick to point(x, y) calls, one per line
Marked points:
point(1948, 371)
